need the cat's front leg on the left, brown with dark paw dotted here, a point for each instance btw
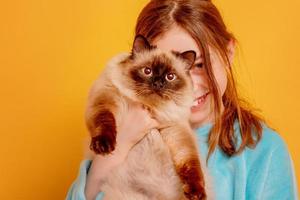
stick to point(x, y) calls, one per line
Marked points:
point(101, 122)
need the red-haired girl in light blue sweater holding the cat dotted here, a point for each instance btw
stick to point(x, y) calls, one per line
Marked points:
point(246, 159)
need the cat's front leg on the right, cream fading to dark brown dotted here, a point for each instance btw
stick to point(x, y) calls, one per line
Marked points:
point(183, 149)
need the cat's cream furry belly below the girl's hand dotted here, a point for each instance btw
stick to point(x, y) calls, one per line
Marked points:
point(148, 170)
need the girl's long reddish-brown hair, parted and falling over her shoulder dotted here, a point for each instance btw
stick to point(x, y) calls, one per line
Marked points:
point(202, 20)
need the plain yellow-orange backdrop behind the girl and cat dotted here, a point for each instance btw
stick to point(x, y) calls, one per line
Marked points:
point(51, 51)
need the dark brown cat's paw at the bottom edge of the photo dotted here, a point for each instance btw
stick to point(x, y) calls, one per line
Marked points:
point(194, 191)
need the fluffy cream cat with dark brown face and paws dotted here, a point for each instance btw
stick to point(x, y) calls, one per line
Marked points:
point(165, 164)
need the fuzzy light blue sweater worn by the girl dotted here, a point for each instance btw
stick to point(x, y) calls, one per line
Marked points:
point(263, 173)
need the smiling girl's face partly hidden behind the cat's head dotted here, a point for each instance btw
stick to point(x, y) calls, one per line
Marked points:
point(177, 39)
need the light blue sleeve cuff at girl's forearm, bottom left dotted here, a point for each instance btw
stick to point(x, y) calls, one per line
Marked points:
point(76, 191)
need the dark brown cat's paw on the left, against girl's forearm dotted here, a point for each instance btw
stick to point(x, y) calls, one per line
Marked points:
point(103, 144)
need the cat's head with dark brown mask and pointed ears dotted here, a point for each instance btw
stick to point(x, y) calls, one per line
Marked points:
point(156, 76)
